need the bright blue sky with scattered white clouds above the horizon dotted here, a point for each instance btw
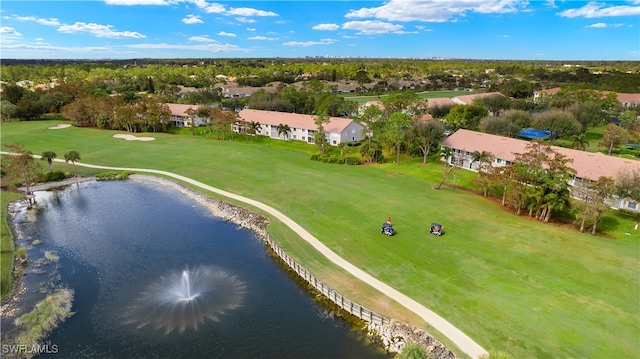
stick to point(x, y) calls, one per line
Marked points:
point(469, 29)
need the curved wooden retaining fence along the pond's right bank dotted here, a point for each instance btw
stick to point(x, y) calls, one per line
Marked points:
point(347, 305)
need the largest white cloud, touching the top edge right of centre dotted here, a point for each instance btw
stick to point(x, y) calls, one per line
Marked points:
point(435, 11)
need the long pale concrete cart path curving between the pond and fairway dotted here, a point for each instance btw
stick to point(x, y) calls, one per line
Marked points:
point(464, 342)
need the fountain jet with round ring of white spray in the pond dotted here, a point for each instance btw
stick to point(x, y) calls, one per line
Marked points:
point(186, 299)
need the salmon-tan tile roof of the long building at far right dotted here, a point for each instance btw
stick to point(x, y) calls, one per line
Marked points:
point(587, 164)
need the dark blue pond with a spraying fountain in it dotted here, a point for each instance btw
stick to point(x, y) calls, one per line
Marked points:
point(156, 275)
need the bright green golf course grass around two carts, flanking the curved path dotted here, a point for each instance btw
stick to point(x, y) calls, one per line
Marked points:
point(511, 283)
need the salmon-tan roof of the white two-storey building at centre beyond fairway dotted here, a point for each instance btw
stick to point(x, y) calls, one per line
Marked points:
point(293, 120)
